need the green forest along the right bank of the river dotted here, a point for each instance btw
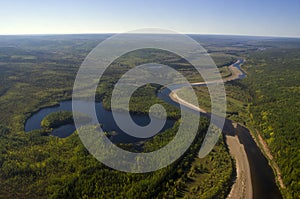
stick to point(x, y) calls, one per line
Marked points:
point(274, 85)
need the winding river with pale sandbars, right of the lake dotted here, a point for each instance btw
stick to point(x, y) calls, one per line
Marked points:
point(261, 184)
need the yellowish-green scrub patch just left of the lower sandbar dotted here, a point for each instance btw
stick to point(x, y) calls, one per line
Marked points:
point(210, 177)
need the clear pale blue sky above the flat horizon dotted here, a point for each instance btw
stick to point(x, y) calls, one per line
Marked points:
point(230, 17)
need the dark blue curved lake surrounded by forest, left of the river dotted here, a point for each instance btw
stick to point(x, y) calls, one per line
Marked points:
point(104, 116)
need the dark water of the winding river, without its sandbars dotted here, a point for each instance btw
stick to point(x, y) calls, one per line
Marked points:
point(262, 176)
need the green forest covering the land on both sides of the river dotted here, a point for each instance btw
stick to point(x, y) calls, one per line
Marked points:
point(39, 71)
